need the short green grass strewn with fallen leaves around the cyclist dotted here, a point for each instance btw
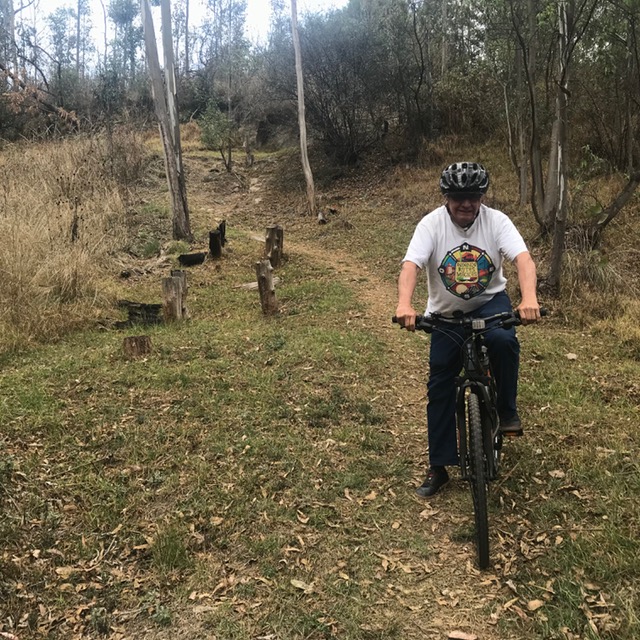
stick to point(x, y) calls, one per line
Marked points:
point(253, 477)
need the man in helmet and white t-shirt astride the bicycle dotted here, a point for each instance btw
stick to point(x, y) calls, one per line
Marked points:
point(462, 245)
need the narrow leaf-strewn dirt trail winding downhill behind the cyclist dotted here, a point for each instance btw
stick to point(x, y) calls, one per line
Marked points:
point(450, 593)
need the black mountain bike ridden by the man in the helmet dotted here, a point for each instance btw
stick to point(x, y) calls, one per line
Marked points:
point(479, 436)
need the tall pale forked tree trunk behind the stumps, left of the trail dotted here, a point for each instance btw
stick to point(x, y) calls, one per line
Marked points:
point(168, 119)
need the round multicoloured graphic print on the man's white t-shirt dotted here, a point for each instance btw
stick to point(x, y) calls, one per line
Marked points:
point(466, 271)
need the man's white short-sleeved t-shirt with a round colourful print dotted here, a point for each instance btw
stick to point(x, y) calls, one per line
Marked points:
point(464, 268)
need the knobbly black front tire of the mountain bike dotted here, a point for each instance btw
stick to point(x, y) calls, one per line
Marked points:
point(478, 479)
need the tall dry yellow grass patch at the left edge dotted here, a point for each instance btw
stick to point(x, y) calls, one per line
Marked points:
point(63, 219)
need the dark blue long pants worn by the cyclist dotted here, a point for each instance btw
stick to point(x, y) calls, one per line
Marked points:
point(445, 362)
